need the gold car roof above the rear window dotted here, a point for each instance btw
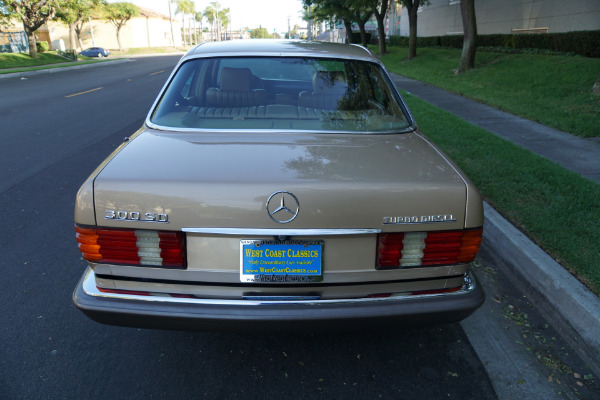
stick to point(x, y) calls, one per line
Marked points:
point(280, 48)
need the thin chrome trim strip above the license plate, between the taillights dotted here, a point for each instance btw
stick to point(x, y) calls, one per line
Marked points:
point(280, 232)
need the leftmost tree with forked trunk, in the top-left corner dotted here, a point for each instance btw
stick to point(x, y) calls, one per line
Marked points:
point(33, 14)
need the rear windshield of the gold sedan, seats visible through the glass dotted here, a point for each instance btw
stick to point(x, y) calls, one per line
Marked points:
point(280, 93)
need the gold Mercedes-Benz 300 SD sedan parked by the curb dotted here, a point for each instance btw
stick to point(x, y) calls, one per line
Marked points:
point(278, 185)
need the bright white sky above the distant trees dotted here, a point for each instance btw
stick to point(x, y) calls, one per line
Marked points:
point(270, 14)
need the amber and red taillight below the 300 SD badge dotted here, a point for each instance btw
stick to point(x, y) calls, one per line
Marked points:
point(132, 246)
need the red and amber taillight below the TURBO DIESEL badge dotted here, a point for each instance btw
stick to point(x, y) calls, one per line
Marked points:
point(427, 248)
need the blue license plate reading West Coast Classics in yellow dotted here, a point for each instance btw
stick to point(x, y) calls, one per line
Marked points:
point(291, 261)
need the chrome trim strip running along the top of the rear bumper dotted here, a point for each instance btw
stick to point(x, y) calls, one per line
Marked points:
point(89, 287)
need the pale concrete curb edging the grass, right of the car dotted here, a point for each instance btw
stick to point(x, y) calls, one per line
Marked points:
point(573, 309)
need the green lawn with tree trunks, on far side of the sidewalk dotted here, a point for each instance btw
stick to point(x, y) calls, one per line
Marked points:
point(554, 90)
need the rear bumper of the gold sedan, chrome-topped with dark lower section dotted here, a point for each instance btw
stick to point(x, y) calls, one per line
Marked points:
point(251, 315)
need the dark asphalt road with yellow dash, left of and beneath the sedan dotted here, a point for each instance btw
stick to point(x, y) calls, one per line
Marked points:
point(55, 129)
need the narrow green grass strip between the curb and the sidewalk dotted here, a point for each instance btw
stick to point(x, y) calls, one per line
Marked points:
point(558, 209)
